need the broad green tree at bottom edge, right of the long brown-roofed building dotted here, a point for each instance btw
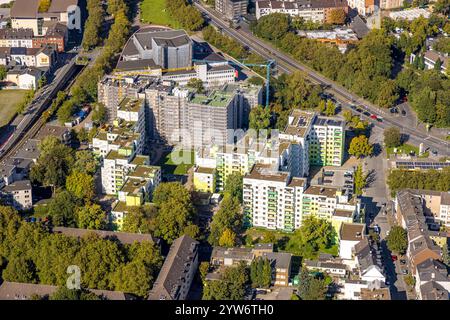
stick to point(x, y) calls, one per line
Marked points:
point(230, 287)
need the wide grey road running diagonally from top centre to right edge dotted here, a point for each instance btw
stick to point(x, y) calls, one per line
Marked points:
point(288, 65)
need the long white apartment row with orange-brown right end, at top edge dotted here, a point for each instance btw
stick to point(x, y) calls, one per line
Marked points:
point(317, 11)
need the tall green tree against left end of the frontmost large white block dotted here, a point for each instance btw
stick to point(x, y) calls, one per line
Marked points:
point(227, 217)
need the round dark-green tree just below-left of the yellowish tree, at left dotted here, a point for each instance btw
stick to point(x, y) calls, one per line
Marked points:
point(61, 209)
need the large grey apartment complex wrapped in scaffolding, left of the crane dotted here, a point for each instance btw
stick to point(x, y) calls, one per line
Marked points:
point(174, 113)
